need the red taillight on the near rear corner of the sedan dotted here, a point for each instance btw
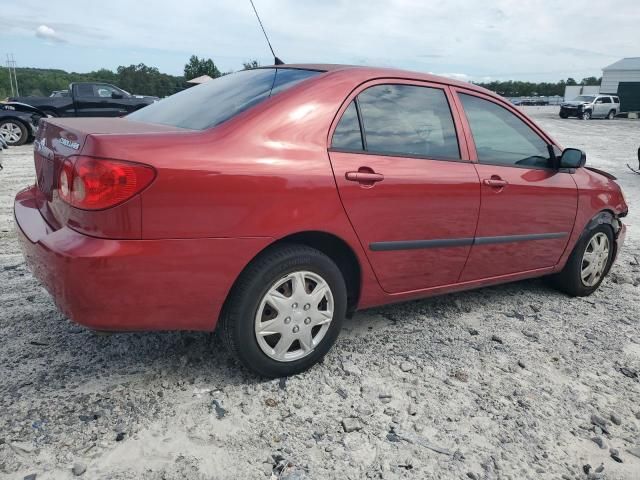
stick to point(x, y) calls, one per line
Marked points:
point(95, 183)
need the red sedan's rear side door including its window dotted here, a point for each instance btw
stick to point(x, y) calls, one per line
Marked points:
point(406, 183)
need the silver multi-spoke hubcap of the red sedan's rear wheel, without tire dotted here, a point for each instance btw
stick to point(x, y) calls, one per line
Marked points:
point(294, 316)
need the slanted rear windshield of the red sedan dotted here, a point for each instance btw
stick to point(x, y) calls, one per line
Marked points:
point(216, 101)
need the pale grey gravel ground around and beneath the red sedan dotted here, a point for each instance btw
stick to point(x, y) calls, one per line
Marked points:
point(510, 382)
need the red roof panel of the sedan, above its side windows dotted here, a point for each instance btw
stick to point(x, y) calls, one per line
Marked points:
point(378, 72)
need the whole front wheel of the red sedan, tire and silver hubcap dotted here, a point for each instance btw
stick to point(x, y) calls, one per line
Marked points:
point(588, 264)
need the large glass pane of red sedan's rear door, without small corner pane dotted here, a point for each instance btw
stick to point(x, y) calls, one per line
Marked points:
point(408, 120)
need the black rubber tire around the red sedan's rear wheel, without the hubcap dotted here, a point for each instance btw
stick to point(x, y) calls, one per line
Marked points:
point(236, 326)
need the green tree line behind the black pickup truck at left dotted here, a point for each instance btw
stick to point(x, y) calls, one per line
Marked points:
point(137, 79)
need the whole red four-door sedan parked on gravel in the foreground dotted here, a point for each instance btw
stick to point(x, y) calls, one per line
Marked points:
point(273, 202)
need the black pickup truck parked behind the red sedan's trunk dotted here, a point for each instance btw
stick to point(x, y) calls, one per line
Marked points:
point(90, 99)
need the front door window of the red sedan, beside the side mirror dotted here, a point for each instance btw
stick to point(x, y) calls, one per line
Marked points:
point(501, 137)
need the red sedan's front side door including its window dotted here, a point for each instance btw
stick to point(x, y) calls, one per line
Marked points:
point(527, 208)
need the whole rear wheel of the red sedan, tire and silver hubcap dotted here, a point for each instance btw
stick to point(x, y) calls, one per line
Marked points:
point(285, 312)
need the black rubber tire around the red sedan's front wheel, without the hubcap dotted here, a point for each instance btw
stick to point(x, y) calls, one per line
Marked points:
point(569, 280)
